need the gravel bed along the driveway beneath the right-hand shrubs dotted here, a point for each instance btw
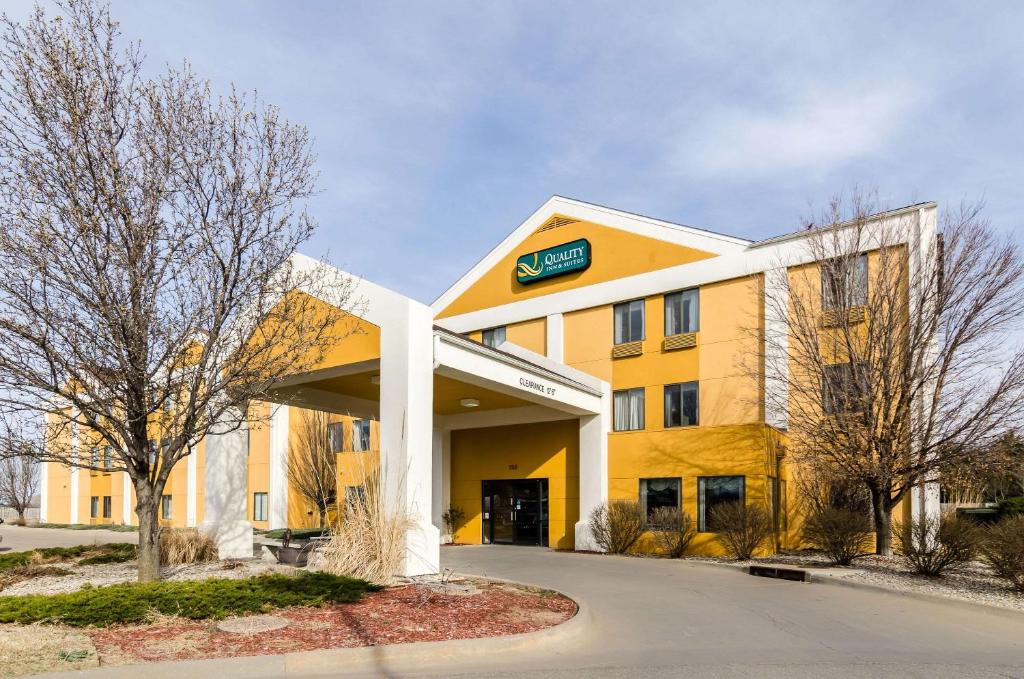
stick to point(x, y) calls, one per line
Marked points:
point(975, 584)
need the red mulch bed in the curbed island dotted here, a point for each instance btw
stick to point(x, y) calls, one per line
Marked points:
point(398, 615)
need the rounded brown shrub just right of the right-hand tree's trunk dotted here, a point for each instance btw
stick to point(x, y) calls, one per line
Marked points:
point(933, 546)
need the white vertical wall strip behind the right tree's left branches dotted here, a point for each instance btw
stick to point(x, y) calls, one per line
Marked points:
point(777, 349)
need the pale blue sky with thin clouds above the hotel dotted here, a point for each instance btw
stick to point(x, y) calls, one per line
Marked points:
point(441, 126)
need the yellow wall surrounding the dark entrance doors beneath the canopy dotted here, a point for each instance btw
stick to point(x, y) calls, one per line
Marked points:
point(548, 450)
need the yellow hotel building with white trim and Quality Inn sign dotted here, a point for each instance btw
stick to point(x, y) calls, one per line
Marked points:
point(592, 355)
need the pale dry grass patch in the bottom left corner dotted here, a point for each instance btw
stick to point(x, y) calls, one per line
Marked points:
point(36, 649)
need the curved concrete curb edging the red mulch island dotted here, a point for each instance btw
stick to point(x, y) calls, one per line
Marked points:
point(332, 662)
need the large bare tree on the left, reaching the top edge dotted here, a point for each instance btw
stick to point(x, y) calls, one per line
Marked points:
point(149, 290)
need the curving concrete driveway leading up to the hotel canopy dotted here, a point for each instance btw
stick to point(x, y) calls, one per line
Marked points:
point(661, 618)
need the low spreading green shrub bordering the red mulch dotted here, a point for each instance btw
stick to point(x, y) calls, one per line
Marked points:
point(135, 603)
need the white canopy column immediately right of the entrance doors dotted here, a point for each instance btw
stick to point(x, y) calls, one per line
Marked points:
point(593, 469)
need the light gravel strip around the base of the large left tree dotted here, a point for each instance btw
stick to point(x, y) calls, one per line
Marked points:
point(112, 574)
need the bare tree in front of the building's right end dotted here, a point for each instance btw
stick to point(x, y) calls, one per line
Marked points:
point(898, 354)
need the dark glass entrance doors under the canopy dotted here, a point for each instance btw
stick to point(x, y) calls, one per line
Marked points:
point(516, 513)
